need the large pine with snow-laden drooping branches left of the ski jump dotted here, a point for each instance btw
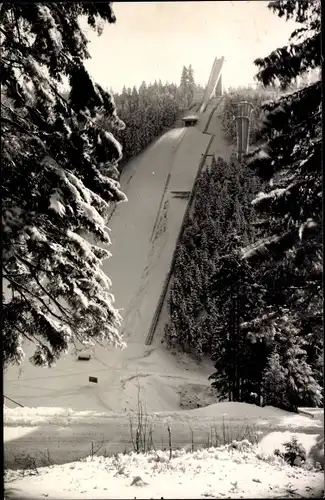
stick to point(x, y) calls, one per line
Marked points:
point(59, 171)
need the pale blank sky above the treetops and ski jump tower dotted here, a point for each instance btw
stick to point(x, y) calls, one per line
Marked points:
point(153, 40)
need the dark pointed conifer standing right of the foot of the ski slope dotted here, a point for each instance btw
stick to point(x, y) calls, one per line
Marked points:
point(239, 362)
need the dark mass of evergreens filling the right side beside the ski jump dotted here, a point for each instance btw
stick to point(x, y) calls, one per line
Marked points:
point(247, 288)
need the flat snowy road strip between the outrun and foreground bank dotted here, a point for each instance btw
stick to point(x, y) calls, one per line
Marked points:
point(66, 435)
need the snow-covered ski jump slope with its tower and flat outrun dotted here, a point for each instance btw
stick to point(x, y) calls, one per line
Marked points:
point(144, 233)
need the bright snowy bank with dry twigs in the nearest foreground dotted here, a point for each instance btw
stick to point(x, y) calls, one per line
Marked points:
point(239, 470)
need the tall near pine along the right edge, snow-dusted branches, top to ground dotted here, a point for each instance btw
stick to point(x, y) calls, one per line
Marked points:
point(289, 164)
